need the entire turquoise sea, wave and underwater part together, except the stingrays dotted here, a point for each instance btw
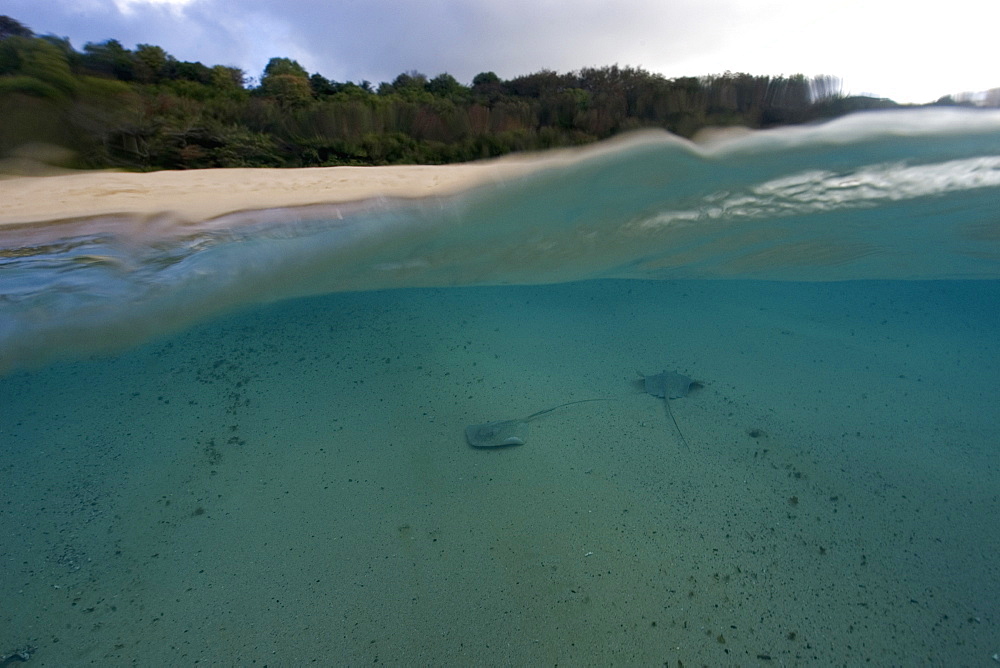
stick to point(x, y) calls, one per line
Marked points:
point(244, 444)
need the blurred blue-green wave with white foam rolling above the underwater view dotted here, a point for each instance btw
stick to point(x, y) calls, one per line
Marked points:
point(887, 195)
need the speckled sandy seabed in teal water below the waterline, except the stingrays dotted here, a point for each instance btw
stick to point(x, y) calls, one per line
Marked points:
point(293, 484)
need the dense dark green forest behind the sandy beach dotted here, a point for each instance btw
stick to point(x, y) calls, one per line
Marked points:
point(142, 109)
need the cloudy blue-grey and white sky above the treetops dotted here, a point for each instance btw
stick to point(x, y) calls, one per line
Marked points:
point(910, 51)
